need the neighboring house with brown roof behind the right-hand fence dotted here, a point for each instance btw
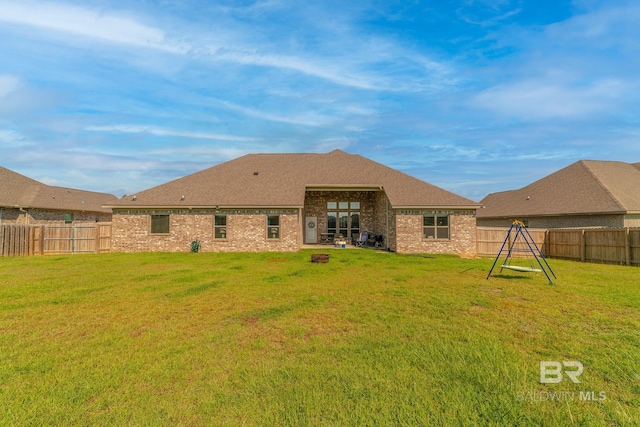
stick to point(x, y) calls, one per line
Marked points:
point(588, 193)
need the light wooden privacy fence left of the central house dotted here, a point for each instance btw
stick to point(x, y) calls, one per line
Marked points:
point(22, 240)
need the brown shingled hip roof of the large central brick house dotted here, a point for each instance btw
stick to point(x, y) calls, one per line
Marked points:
point(281, 180)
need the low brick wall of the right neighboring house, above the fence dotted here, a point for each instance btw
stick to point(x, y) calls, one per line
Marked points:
point(567, 221)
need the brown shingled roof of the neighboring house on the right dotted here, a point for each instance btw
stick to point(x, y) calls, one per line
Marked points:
point(585, 187)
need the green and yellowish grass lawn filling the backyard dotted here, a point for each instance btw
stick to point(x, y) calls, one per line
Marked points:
point(370, 338)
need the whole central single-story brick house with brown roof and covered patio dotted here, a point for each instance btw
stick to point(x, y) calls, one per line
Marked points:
point(278, 202)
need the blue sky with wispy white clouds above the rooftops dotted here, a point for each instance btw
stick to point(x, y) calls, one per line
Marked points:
point(474, 96)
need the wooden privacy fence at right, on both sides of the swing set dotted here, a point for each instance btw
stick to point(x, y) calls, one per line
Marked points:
point(604, 245)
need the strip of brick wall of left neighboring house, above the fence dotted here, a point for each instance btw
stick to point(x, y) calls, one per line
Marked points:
point(51, 217)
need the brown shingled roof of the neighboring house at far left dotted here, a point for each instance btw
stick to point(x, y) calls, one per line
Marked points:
point(19, 191)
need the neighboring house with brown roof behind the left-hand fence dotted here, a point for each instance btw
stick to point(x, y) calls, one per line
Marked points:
point(27, 201)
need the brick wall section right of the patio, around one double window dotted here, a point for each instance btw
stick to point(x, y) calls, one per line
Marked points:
point(462, 233)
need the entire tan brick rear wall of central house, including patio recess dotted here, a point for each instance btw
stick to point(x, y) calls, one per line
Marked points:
point(246, 229)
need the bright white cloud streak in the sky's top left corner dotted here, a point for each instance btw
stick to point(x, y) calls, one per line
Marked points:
point(85, 22)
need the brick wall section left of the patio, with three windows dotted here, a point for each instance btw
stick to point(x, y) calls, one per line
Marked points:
point(246, 231)
